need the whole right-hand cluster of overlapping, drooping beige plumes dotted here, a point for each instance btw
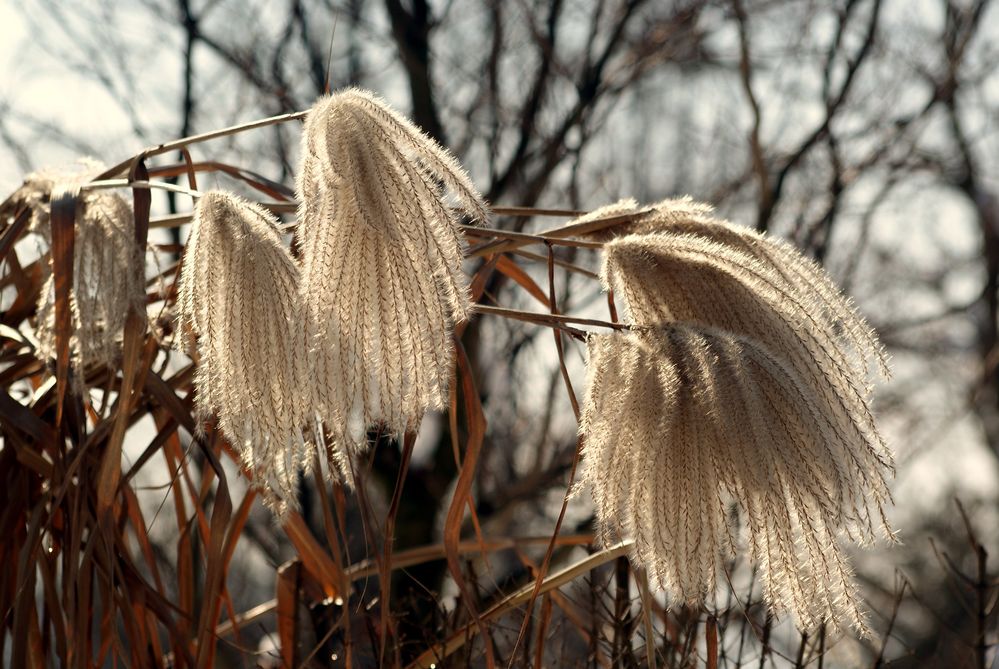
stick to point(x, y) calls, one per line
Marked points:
point(743, 386)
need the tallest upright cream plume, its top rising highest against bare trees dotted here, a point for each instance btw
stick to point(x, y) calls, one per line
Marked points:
point(381, 262)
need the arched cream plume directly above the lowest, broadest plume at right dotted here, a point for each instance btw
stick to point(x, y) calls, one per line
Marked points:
point(681, 277)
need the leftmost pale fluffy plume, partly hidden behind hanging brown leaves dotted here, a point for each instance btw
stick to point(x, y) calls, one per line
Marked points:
point(106, 267)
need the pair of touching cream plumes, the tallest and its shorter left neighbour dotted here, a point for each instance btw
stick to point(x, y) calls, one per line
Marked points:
point(358, 333)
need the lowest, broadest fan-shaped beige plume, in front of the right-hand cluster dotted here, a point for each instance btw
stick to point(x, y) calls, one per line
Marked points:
point(685, 423)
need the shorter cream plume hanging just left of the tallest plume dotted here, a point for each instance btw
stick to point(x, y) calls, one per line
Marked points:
point(239, 298)
